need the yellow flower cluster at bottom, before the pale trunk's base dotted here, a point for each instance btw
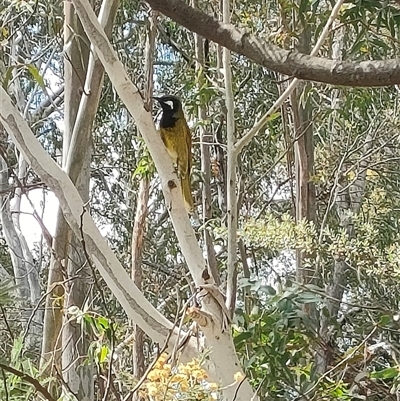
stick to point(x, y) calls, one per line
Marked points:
point(184, 382)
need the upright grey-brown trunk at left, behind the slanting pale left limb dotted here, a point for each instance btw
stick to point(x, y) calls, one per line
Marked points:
point(77, 376)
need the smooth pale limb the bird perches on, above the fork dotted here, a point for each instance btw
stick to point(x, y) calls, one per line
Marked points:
point(130, 95)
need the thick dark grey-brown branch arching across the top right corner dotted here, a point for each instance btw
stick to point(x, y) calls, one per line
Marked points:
point(287, 62)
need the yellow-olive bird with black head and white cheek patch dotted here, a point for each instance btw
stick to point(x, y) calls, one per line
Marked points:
point(177, 138)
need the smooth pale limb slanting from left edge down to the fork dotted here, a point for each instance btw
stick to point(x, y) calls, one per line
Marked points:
point(132, 300)
